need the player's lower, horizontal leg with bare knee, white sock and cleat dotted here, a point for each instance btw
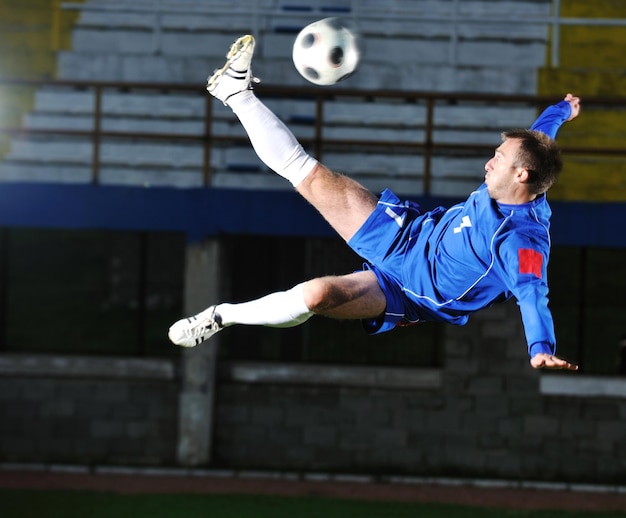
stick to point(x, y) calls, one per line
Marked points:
point(352, 296)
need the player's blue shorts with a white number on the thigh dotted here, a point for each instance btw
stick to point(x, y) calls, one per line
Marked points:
point(383, 240)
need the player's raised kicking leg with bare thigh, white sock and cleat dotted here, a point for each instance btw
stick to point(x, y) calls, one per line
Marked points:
point(344, 203)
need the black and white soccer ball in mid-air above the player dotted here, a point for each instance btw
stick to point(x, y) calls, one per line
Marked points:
point(325, 52)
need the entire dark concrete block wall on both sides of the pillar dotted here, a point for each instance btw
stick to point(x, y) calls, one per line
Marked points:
point(484, 414)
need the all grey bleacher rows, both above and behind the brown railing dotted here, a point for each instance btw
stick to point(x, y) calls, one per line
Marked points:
point(182, 41)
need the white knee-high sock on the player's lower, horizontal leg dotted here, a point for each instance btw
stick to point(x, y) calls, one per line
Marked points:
point(280, 309)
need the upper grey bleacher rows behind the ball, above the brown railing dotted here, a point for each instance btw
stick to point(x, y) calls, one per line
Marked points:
point(451, 45)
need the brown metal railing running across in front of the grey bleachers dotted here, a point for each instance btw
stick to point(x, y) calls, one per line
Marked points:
point(325, 100)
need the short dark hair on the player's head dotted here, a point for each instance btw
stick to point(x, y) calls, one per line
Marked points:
point(540, 155)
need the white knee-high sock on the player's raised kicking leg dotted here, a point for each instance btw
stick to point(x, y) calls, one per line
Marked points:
point(272, 141)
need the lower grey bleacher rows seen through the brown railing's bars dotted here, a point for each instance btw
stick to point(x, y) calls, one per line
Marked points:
point(179, 162)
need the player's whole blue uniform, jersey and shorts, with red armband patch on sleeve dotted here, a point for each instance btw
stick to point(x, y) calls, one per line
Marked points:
point(443, 265)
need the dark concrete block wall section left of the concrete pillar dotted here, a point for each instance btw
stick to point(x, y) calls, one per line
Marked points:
point(59, 410)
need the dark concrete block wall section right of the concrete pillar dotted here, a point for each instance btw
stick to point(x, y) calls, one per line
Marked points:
point(487, 418)
